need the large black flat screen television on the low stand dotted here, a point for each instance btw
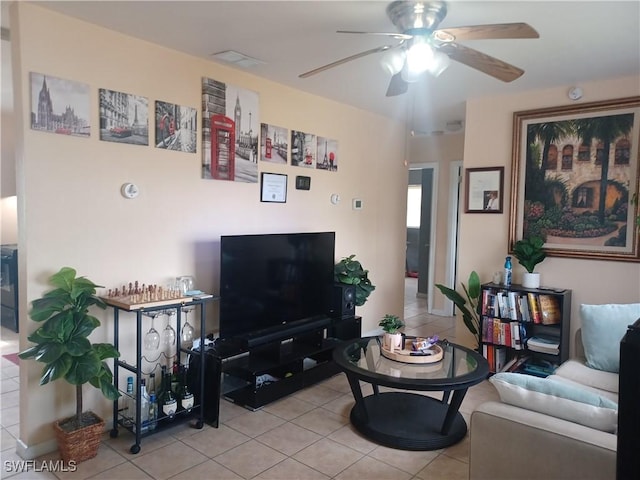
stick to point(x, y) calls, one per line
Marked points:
point(274, 286)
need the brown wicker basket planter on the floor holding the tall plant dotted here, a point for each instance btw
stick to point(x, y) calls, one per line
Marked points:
point(80, 444)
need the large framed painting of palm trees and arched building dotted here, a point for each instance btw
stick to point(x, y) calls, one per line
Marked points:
point(575, 178)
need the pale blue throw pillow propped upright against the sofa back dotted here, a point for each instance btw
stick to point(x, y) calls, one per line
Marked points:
point(603, 326)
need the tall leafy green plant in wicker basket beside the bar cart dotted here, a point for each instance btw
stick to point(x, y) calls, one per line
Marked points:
point(62, 344)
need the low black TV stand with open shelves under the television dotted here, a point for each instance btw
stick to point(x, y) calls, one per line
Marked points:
point(254, 377)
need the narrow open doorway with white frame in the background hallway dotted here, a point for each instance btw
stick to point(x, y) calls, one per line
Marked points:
point(421, 208)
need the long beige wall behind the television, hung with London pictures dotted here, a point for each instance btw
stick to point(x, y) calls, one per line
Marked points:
point(72, 212)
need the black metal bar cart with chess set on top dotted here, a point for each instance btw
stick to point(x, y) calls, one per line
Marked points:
point(140, 309)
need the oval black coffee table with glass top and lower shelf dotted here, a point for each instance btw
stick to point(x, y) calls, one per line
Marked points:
point(407, 420)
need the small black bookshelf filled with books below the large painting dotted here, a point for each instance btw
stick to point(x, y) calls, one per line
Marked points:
point(524, 330)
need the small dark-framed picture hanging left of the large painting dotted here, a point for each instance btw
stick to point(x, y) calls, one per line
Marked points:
point(484, 189)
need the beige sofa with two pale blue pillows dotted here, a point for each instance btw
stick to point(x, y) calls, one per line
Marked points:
point(563, 426)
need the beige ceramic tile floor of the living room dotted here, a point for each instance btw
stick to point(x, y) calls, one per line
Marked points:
point(304, 436)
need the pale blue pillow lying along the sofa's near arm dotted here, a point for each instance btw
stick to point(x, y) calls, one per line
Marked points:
point(558, 400)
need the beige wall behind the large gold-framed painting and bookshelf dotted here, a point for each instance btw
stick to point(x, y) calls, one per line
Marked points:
point(484, 238)
